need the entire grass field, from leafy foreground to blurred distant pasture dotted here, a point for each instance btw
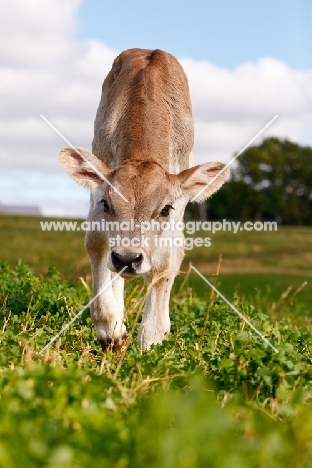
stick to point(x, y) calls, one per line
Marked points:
point(212, 395)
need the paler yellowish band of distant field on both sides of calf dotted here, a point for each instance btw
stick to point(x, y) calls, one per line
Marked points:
point(286, 251)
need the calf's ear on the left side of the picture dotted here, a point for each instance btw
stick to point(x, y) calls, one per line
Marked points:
point(84, 167)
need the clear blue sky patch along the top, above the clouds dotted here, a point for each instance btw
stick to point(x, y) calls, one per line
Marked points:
point(225, 32)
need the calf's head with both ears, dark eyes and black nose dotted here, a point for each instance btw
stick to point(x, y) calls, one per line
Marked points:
point(136, 199)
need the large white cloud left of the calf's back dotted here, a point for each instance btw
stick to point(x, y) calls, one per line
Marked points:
point(45, 71)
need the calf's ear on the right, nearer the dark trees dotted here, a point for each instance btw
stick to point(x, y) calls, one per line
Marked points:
point(200, 182)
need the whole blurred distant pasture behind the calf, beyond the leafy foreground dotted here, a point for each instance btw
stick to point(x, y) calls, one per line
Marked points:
point(259, 266)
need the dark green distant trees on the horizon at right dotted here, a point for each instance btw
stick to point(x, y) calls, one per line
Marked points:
point(272, 181)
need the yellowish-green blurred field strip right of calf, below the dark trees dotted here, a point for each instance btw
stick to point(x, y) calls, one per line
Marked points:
point(285, 251)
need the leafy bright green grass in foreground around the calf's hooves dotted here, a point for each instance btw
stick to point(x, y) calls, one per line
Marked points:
point(212, 395)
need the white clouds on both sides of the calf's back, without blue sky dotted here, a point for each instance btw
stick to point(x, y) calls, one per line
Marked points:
point(45, 70)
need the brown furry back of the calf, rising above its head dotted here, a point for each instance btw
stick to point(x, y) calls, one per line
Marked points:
point(144, 90)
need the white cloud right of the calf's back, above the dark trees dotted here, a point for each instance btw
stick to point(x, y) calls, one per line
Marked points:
point(230, 107)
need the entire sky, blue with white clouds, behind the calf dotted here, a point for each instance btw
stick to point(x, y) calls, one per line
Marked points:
point(246, 61)
